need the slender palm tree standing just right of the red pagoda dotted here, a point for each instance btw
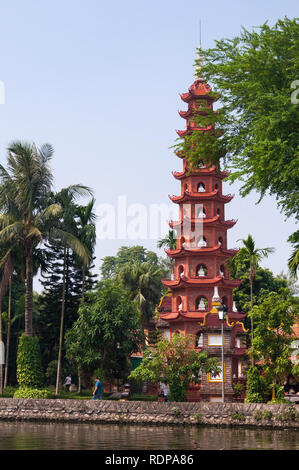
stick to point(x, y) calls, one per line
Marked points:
point(254, 256)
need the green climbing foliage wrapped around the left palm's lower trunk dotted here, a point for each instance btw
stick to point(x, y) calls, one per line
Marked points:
point(29, 366)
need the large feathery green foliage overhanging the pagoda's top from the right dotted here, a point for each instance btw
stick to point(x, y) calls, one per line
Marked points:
point(254, 74)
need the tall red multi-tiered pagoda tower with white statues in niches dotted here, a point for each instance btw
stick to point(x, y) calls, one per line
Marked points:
point(201, 278)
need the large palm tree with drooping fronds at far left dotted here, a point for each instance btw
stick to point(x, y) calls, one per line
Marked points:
point(28, 217)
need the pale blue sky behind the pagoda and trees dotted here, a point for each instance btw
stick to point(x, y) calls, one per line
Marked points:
point(100, 82)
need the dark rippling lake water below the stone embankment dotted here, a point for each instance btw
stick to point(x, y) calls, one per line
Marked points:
point(62, 436)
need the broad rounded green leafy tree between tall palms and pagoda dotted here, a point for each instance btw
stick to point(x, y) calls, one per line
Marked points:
point(106, 332)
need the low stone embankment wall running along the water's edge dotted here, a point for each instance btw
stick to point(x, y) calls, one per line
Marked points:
point(130, 412)
